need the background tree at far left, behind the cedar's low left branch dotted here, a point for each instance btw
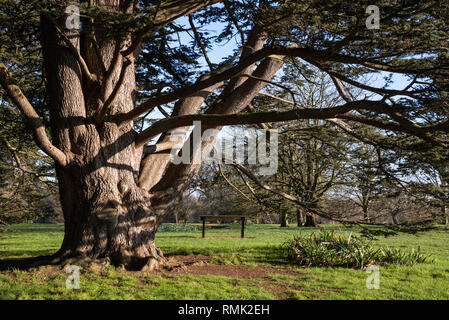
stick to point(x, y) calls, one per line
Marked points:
point(26, 175)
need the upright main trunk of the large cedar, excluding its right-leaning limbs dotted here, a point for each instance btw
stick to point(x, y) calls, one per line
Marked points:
point(107, 215)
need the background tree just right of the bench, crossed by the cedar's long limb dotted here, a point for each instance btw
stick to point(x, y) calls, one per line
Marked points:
point(312, 153)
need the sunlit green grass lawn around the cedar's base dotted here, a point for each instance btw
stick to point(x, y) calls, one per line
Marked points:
point(250, 268)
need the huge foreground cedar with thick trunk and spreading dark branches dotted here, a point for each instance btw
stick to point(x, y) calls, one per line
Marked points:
point(114, 187)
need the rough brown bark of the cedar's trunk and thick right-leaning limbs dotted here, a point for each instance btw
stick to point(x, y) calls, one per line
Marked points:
point(112, 200)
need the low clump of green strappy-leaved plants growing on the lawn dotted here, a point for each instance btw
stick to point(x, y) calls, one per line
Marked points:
point(331, 249)
